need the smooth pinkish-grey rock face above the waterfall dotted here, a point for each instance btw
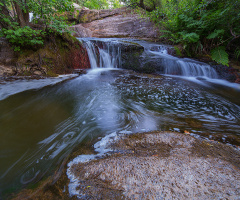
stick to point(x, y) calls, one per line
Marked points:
point(114, 23)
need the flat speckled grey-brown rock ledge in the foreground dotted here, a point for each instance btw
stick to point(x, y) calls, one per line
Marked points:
point(161, 166)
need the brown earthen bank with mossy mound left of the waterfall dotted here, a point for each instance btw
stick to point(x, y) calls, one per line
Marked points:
point(60, 54)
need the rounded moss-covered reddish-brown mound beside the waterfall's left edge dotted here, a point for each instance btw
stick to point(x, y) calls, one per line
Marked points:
point(61, 54)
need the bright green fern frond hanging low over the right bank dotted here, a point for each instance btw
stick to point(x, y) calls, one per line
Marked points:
point(220, 55)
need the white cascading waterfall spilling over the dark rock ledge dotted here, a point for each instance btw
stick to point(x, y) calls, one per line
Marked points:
point(106, 53)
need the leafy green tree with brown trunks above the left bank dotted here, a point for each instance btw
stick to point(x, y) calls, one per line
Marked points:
point(48, 17)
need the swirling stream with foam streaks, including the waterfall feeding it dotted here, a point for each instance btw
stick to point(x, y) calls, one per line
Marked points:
point(39, 127)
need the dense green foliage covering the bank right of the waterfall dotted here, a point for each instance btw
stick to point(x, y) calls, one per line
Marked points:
point(200, 25)
